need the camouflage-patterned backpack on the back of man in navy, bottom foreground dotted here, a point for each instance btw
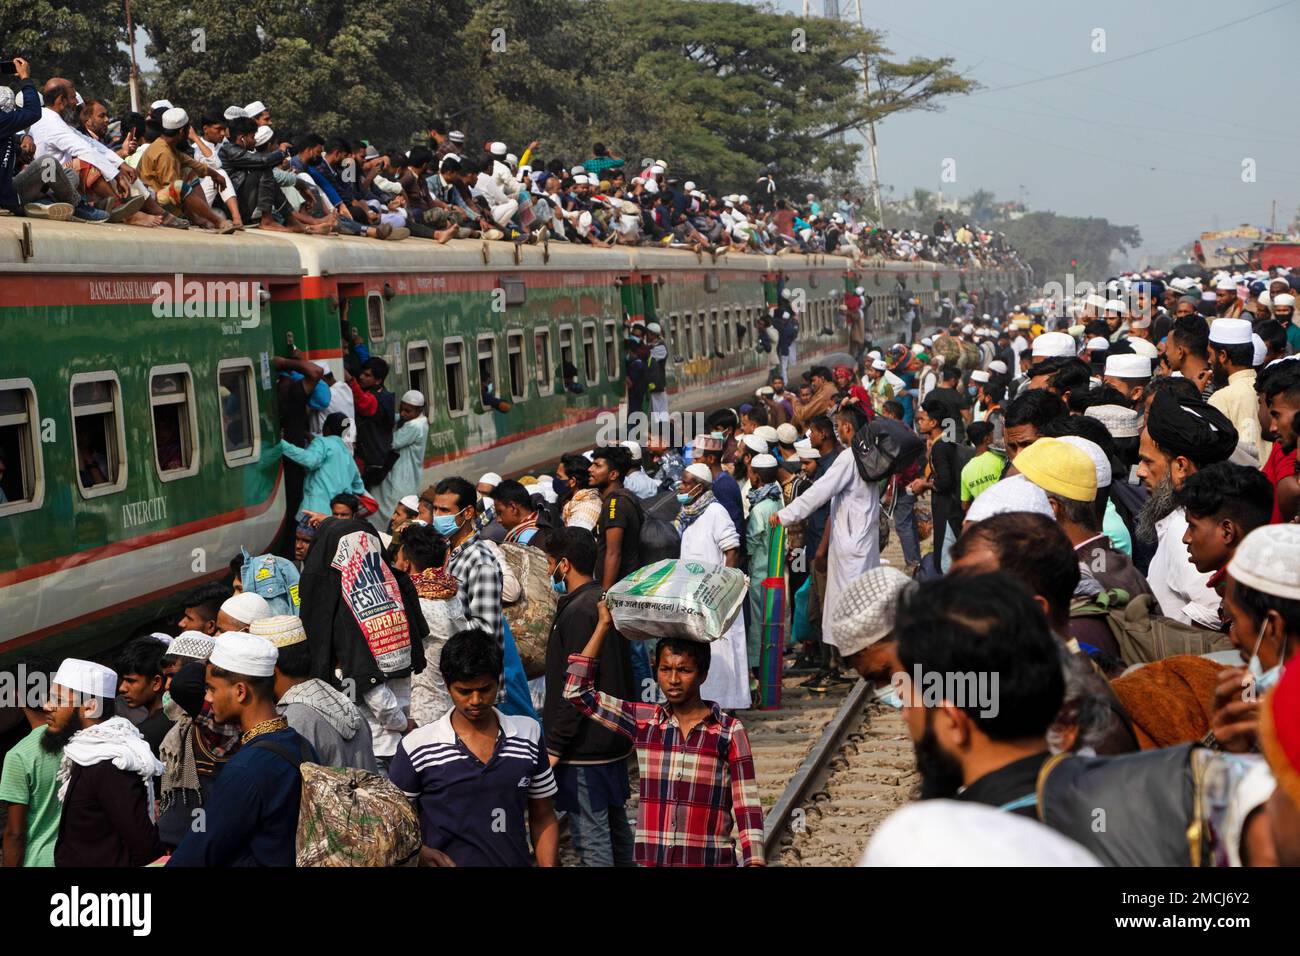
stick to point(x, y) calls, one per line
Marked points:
point(349, 817)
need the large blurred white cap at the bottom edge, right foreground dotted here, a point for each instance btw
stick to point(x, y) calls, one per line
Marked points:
point(951, 833)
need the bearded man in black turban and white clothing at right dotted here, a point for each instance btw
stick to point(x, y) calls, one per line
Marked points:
point(1180, 438)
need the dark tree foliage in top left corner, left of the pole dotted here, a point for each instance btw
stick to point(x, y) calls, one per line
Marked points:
point(76, 40)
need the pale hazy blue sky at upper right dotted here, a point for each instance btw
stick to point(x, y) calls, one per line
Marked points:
point(1156, 141)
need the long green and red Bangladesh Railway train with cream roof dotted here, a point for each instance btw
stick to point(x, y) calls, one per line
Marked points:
point(138, 422)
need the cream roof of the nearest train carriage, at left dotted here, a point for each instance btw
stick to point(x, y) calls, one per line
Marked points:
point(120, 249)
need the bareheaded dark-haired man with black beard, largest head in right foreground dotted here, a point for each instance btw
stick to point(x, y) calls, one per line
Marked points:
point(986, 747)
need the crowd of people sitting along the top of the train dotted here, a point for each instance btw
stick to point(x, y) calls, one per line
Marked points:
point(66, 158)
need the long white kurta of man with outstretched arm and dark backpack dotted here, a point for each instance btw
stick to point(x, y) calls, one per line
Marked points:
point(855, 527)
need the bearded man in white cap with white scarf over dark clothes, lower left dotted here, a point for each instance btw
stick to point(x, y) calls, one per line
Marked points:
point(106, 776)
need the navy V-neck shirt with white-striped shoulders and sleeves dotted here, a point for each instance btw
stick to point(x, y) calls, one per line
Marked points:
point(476, 814)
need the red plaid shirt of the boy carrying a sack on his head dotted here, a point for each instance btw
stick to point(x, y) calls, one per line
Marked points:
point(692, 789)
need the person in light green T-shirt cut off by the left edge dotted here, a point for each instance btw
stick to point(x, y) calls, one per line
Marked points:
point(29, 784)
